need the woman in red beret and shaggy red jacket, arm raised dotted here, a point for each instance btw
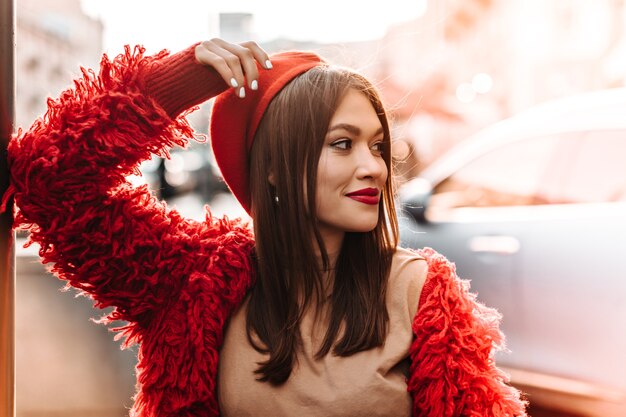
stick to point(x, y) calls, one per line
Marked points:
point(320, 314)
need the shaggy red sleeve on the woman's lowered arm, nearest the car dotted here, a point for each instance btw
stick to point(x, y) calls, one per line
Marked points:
point(453, 372)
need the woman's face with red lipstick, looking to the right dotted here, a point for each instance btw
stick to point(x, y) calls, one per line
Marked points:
point(351, 172)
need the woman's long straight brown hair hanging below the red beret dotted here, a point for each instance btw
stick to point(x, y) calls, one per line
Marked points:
point(288, 143)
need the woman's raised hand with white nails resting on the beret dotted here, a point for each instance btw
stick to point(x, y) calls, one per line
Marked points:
point(234, 62)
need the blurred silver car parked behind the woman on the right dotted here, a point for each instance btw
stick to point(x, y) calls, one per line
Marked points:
point(533, 211)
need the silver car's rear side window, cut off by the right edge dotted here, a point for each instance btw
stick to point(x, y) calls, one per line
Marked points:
point(597, 172)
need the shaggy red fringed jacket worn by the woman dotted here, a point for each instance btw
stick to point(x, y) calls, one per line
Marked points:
point(176, 281)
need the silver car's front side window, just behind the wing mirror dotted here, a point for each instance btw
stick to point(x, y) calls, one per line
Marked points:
point(511, 175)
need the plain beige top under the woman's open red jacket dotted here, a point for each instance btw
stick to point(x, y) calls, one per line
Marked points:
point(371, 382)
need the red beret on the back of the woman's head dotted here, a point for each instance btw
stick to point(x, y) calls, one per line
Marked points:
point(234, 120)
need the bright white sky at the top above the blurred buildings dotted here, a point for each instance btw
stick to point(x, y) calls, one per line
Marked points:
point(159, 24)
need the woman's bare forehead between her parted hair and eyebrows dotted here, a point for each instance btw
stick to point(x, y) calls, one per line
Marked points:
point(355, 108)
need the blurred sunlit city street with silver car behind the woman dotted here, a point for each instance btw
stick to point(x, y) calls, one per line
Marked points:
point(512, 116)
